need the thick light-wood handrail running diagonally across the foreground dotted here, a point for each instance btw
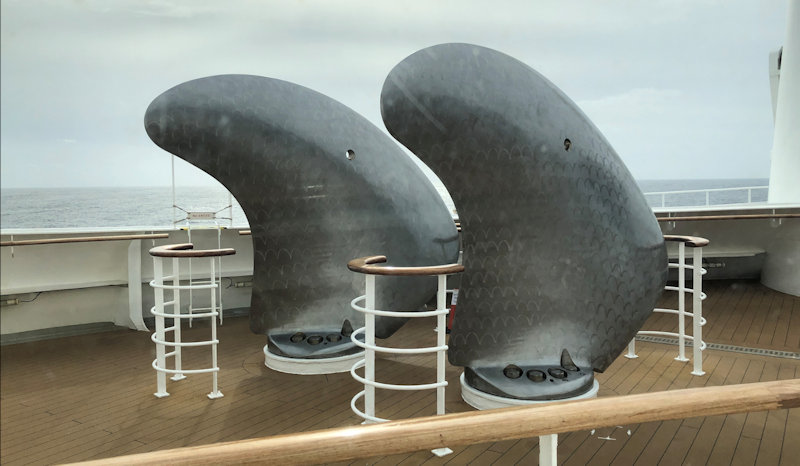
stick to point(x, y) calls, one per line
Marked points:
point(476, 427)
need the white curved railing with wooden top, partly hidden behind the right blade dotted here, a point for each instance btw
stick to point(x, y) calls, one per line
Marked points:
point(698, 321)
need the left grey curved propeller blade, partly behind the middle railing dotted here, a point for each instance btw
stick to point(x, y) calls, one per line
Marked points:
point(282, 151)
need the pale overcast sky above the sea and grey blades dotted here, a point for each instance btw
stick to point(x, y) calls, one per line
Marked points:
point(679, 87)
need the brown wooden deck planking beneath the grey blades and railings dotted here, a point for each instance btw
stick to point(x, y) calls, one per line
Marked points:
point(91, 396)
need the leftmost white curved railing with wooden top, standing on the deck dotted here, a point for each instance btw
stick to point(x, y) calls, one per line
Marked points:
point(177, 252)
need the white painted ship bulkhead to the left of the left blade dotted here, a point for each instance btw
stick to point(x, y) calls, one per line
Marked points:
point(61, 285)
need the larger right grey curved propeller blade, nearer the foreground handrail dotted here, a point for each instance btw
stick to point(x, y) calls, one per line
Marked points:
point(561, 249)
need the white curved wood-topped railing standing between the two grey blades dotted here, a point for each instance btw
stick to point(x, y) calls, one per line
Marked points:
point(370, 267)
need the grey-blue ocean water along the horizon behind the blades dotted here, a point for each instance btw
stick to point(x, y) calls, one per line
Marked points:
point(152, 207)
